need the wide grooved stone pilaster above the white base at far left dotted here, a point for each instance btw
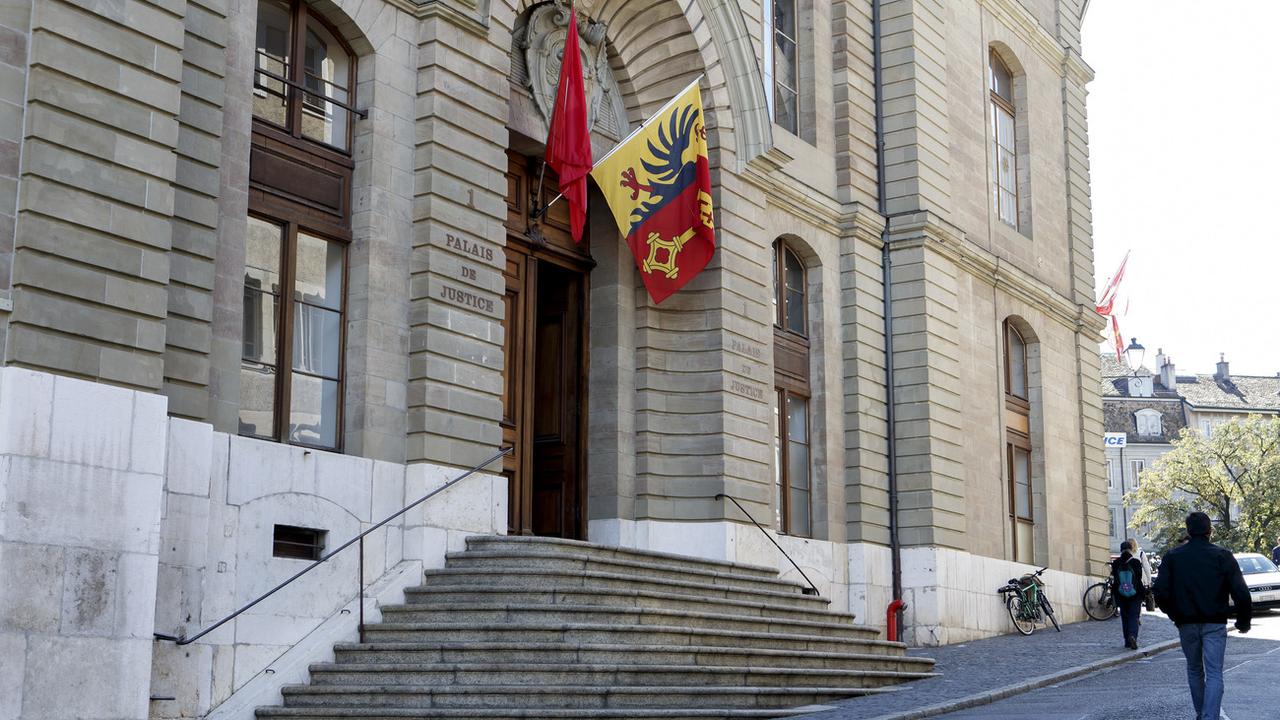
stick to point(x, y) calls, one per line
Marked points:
point(92, 261)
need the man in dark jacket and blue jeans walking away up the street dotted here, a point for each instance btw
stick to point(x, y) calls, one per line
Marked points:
point(1192, 589)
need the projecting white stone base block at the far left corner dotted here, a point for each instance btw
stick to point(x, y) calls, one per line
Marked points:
point(80, 544)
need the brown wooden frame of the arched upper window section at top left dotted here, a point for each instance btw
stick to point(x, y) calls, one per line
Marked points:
point(295, 98)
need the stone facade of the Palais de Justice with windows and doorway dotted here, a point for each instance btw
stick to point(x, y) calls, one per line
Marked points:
point(273, 265)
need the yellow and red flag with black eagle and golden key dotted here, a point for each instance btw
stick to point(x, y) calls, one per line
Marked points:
point(659, 185)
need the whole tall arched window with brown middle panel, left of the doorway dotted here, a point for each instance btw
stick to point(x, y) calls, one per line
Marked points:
point(299, 230)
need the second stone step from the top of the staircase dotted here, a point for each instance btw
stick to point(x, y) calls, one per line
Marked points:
point(573, 563)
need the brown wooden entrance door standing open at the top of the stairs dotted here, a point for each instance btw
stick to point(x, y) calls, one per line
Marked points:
point(545, 393)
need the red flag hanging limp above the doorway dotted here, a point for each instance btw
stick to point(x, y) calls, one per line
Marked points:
point(569, 144)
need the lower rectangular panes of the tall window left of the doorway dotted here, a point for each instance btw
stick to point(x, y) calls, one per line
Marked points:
point(291, 371)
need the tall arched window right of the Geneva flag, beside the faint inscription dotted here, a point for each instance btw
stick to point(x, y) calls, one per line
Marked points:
point(792, 438)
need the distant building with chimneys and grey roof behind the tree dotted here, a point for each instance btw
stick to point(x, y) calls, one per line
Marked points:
point(1154, 408)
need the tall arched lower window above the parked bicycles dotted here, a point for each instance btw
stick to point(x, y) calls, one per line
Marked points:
point(1018, 446)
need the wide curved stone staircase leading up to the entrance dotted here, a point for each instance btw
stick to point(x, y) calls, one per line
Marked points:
point(522, 627)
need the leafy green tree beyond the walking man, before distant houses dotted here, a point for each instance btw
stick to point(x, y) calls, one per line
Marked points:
point(1235, 477)
